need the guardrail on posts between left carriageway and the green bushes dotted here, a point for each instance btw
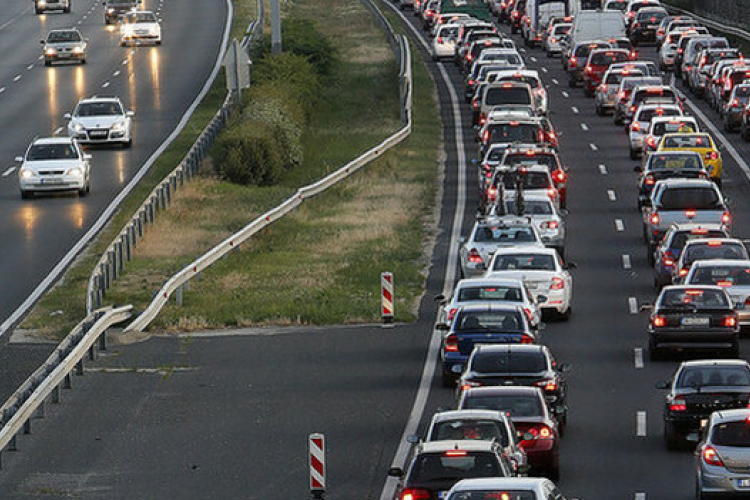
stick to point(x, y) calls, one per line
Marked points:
point(120, 250)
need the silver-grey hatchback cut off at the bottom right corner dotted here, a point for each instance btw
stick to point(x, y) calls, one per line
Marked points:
point(722, 455)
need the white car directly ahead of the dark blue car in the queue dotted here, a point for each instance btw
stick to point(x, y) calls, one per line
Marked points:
point(474, 290)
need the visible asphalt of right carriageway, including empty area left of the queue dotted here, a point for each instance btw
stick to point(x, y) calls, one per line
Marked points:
point(228, 418)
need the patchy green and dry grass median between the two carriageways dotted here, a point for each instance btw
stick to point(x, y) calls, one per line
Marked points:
point(321, 264)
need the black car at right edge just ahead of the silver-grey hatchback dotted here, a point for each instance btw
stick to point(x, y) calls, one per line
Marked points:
point(699, 388)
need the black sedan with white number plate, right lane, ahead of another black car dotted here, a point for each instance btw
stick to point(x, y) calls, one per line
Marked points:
point(693, 317)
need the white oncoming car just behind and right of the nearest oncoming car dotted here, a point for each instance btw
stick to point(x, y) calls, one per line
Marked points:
point(101, 120)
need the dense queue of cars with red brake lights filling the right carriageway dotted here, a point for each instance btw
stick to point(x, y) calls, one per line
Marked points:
point(502, 437)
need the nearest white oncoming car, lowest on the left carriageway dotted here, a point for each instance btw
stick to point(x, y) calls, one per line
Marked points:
point(54, 164)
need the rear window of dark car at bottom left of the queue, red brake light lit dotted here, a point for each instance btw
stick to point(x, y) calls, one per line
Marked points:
point(446, 466)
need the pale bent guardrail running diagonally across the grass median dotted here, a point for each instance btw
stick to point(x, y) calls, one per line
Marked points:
point(180, 281)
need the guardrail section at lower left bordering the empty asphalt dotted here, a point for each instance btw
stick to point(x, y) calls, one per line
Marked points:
point(29, 399)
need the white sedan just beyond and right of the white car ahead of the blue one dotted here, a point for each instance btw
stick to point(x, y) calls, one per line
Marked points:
point(543, 272)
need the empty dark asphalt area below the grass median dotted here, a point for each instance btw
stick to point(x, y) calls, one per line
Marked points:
point(210, 418)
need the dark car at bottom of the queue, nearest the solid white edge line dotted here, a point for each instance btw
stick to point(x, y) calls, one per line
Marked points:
point(438, 465)
